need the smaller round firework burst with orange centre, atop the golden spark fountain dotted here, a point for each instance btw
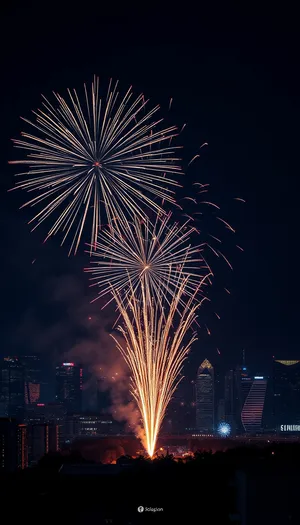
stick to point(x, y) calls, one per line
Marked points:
point(150, 255)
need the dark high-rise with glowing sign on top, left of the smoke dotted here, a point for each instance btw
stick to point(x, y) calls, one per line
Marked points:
point(69, 386)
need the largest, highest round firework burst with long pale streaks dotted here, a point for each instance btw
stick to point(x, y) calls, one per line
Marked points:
point(94, 150)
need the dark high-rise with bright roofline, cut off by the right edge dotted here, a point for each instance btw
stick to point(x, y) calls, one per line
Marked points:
point(286, 392)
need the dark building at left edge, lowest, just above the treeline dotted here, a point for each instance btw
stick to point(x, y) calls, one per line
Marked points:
point(13, 445)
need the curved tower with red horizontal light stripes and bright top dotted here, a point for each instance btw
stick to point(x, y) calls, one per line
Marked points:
point(252, 411)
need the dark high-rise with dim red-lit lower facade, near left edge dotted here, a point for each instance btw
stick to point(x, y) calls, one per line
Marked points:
point(32, 376)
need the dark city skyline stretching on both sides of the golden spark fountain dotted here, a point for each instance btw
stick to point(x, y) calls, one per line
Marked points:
point(248, 402)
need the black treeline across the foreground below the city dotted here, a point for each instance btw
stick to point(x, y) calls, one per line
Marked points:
point(205, 488)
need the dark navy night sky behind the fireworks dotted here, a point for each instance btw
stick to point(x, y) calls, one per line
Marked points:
point(235, 83)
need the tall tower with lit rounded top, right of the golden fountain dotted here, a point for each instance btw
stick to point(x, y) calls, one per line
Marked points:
point(205, 398)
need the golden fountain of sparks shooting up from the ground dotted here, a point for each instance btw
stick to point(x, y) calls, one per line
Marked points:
point(154, 350)
